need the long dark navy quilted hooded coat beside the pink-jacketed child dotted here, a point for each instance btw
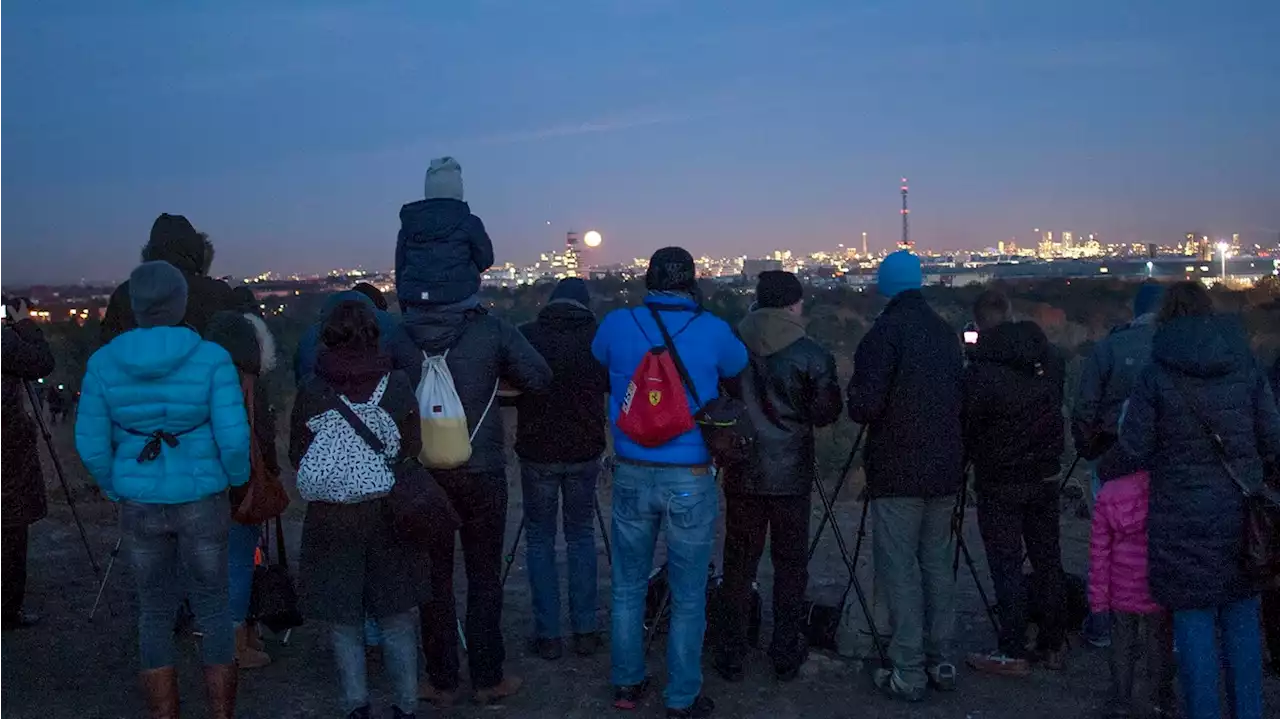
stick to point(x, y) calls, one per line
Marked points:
point(1196, 515)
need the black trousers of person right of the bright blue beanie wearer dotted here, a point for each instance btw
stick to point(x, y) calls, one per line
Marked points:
point(1009, 518)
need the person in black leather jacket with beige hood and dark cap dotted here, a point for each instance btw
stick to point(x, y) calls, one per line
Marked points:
point(789, 390)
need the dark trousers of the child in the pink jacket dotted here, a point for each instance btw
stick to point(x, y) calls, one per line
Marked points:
point(1132, 636)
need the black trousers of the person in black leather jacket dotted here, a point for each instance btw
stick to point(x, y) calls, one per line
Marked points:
point(748, 519)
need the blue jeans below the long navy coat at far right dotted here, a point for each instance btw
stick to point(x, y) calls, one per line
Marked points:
point(1199, 660)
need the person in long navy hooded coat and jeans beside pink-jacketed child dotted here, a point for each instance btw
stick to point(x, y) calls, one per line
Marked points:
point(1201, 419)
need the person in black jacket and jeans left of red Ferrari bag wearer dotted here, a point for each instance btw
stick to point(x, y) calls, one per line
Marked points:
point(560, 439)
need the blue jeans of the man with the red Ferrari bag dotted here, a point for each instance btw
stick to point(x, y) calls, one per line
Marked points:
point(683, 502)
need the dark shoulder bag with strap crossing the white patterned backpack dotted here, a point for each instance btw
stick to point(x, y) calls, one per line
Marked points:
point(419, 506)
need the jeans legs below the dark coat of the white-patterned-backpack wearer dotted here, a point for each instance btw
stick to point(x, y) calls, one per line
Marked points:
point(400, 656)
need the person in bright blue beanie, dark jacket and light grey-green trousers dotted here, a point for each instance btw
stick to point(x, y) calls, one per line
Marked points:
point(908, 391)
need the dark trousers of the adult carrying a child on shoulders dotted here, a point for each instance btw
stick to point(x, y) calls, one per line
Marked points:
point(481, 501)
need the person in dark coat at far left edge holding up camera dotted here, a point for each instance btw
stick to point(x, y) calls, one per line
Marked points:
point(25, 356)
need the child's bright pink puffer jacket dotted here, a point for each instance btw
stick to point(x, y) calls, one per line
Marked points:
point(1118, 548)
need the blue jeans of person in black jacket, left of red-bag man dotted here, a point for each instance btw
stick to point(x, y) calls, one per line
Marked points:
point(543, 487)
